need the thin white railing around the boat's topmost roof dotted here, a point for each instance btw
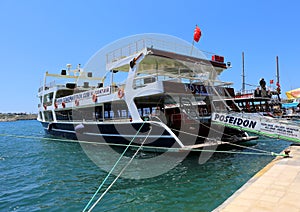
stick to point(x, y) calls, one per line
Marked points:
point(139, 45)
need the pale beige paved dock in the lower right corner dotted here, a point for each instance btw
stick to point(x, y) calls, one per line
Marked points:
point(275, 188)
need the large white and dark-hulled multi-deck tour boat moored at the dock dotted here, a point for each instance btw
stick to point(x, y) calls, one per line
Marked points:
point(150, 89)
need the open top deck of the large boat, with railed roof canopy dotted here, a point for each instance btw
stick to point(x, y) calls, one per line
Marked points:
point(167, 58)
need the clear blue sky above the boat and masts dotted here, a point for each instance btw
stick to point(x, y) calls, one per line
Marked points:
point(38, 36)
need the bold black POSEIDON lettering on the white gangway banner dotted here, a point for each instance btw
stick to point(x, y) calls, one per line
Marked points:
point(235, 120)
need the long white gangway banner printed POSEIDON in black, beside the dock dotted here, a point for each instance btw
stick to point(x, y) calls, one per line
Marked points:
point(260, 125)
